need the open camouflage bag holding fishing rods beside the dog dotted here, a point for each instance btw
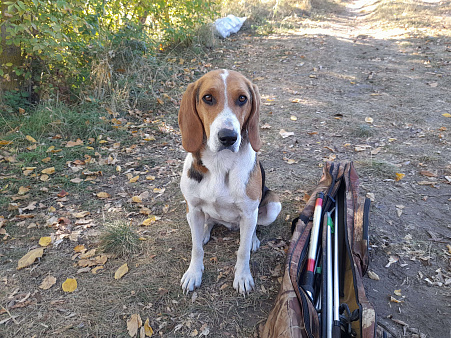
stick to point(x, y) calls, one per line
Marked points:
point(296, 312)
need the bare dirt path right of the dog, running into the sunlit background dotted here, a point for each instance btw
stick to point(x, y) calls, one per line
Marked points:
point(332, 76)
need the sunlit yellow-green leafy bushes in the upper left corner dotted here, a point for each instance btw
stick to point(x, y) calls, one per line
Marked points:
point(61, 39)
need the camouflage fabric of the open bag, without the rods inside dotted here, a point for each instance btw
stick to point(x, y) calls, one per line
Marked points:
point(293, 314)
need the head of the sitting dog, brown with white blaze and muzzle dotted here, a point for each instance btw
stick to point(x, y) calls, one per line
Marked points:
point(220, 110)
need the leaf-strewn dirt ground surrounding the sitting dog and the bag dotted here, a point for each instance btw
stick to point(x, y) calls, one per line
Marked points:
point(348, 88)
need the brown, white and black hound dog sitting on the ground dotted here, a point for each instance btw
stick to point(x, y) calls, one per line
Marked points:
point(222, 180)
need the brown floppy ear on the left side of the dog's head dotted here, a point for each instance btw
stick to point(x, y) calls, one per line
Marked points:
point(189, 121)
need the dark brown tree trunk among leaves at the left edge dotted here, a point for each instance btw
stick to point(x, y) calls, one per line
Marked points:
point(10, 54)
